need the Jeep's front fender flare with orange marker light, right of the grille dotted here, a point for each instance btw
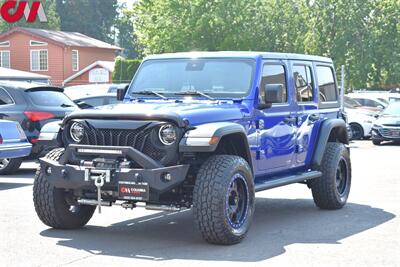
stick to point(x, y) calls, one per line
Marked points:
point(198, 139)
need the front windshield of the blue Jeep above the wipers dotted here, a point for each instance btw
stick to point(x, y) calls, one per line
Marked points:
point(223, 78)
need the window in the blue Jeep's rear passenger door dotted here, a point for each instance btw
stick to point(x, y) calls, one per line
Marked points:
point(304, 83)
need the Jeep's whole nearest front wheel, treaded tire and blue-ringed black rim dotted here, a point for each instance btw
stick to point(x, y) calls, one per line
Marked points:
point(223, 199)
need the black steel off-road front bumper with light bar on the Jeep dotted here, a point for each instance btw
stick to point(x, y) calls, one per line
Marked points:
point(68, 176)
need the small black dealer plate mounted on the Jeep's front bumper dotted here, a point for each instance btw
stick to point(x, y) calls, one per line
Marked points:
point(138, 191)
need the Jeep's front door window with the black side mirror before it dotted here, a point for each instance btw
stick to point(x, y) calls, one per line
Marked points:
point(273, 84)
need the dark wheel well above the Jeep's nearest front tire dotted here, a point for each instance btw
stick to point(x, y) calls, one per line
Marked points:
point(234, 144)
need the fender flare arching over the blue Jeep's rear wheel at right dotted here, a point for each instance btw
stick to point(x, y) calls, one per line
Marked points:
point(326, 128)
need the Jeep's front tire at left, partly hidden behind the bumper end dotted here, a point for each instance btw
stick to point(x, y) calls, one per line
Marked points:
point(51, 203)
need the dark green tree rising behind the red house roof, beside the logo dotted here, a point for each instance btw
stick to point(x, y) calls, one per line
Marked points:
point(93, 18)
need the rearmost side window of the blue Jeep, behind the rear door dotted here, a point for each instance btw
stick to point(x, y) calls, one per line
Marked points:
point(326, 84)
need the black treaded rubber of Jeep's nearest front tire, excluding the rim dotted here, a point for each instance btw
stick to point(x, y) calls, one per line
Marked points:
point(210, 184)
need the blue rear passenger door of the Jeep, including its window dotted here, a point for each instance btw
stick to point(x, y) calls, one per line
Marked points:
point(307, 108)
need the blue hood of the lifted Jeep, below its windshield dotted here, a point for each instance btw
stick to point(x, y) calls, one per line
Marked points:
point(195, 112)
